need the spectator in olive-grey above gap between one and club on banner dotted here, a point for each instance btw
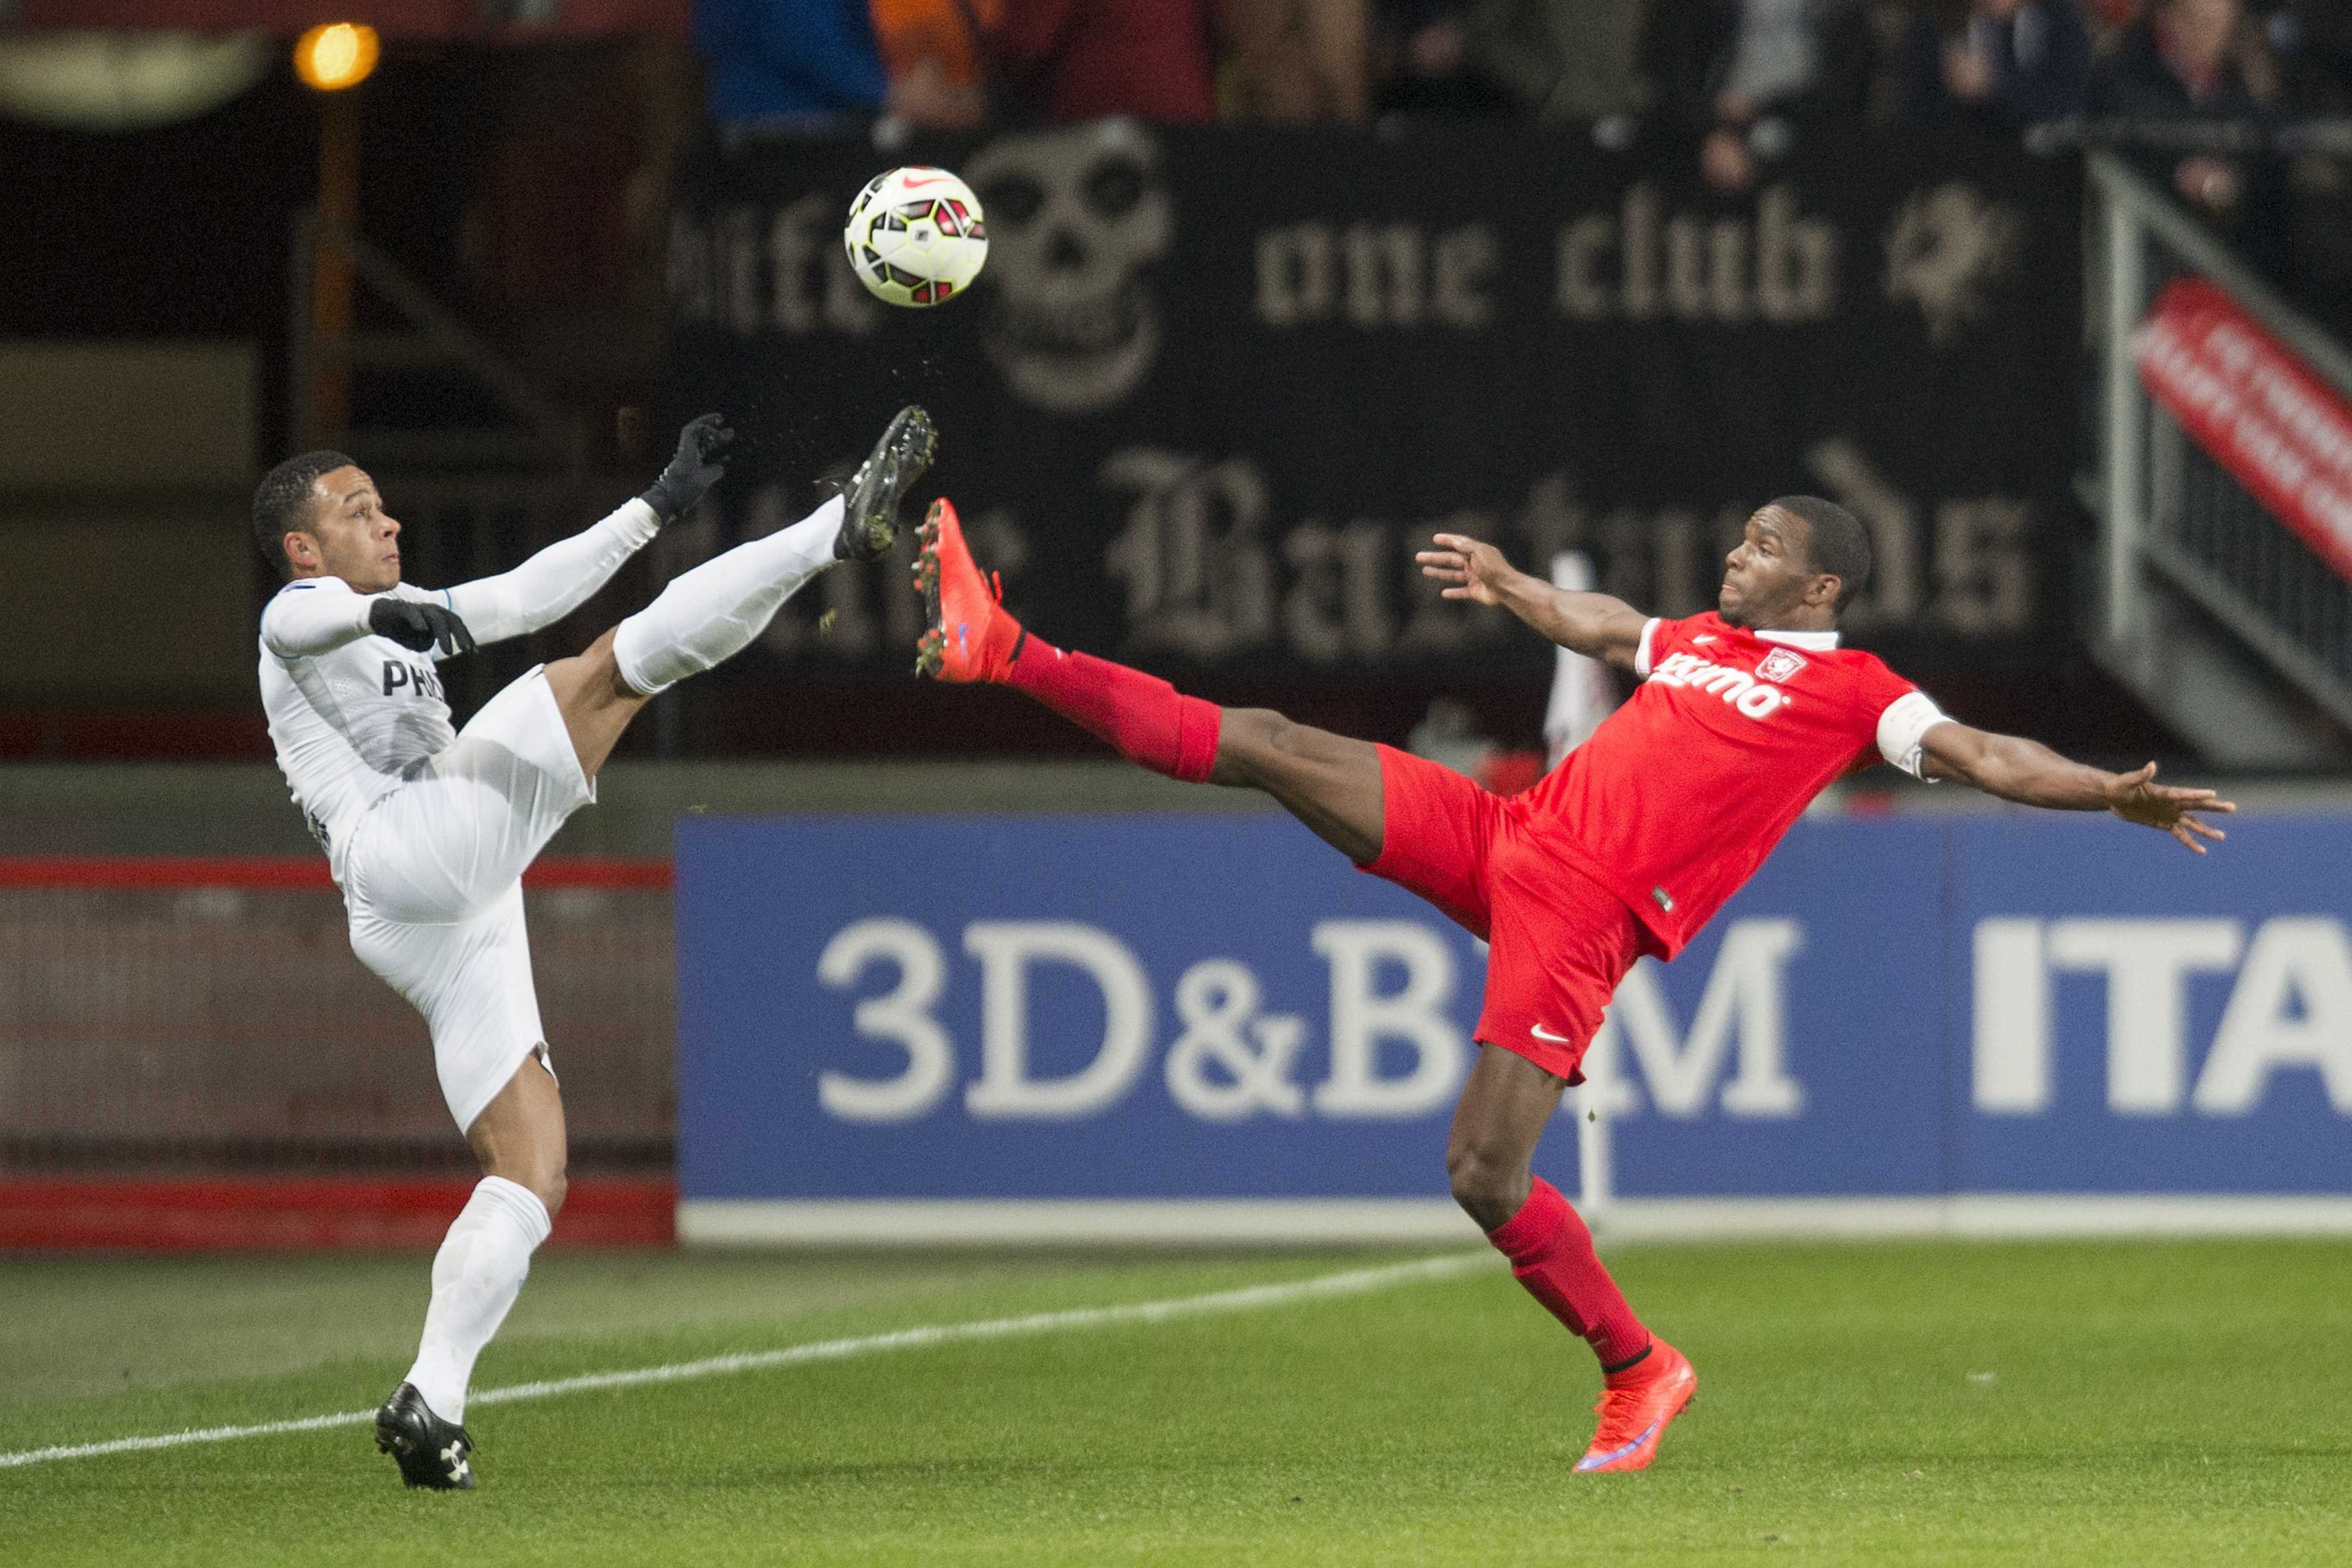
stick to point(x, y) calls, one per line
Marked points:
point(1565, 60)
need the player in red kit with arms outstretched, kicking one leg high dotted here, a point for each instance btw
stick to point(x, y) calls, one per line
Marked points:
point(1629, 847)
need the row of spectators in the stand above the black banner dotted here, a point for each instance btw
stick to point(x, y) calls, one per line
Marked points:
point(1744, 81)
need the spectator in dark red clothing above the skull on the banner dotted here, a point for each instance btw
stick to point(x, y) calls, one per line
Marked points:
point(1083, 60)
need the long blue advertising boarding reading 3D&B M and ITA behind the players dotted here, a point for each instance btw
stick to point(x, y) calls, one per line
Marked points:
point(1064, 1026)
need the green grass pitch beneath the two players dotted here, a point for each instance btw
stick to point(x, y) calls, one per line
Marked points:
point(1859, 1405)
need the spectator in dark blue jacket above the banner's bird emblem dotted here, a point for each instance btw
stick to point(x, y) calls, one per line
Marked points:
point(2003, 65)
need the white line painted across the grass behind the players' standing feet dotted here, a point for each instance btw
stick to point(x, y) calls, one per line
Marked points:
point(1248, 1299)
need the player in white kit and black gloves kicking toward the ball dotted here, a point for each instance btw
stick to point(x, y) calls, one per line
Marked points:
point(429, 829)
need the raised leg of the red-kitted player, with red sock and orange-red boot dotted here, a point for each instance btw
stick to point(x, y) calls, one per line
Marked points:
point(1328, 782)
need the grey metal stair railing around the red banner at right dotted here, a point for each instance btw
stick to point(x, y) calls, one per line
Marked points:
point(2177, 525)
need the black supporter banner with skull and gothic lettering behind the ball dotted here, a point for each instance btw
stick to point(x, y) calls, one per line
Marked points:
point(1217, 387)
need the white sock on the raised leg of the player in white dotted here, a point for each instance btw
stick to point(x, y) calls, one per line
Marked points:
point(711, 615)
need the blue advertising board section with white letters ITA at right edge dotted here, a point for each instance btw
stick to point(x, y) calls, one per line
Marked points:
point(2153, 1021)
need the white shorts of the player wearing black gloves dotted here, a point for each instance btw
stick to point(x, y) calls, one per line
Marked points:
point(434, 887)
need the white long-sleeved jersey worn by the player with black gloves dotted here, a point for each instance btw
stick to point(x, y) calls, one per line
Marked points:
point(354, 716)
